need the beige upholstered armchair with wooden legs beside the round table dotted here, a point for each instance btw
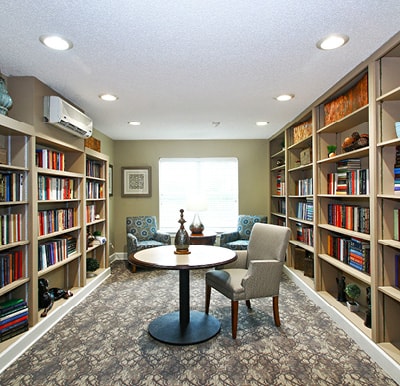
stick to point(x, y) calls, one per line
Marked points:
point(255, 274)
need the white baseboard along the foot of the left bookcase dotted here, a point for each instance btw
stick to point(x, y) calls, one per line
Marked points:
point(15, 350)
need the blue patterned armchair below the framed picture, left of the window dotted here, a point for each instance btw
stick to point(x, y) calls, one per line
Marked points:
point(142, 233)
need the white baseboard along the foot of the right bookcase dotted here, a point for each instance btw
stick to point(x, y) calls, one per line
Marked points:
point(387, 363)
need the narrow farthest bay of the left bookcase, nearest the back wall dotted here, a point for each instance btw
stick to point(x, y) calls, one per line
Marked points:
point(96, 193)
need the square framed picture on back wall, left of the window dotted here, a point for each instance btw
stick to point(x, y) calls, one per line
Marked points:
point(136, 181)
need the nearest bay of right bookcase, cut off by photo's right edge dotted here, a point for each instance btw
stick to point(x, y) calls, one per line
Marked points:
point(388, 203)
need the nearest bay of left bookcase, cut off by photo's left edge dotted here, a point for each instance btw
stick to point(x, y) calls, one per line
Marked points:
point(15, 239)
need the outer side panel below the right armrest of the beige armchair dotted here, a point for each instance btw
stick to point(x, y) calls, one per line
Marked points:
point(263, 278)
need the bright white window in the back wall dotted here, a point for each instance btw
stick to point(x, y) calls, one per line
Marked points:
point(213, 180)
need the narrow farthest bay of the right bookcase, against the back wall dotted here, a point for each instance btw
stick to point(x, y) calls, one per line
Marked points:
point(278, 179)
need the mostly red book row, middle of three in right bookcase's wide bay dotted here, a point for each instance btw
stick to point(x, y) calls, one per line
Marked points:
point(351, 217)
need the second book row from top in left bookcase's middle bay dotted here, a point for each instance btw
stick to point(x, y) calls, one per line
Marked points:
point(55, 188)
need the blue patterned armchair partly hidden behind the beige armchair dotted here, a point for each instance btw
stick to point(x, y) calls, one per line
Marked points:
point(239, 239)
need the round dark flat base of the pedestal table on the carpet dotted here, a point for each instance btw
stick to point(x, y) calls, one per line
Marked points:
point(201, 327)
